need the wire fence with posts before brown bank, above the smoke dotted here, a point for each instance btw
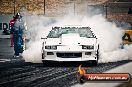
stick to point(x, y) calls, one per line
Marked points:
point(119, 12)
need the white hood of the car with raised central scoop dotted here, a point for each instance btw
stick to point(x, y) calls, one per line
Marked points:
point(70, 39)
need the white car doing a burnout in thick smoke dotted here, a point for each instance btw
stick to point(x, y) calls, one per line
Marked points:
point(65, 44)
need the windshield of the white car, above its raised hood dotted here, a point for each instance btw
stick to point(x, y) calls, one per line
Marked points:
point(83, 32)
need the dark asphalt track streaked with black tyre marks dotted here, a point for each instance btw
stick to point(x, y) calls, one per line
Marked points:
point(17, 73)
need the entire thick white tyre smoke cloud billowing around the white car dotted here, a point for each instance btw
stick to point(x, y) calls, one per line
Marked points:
point(109, 36)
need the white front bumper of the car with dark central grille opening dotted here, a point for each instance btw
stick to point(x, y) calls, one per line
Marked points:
point(69, 56)
